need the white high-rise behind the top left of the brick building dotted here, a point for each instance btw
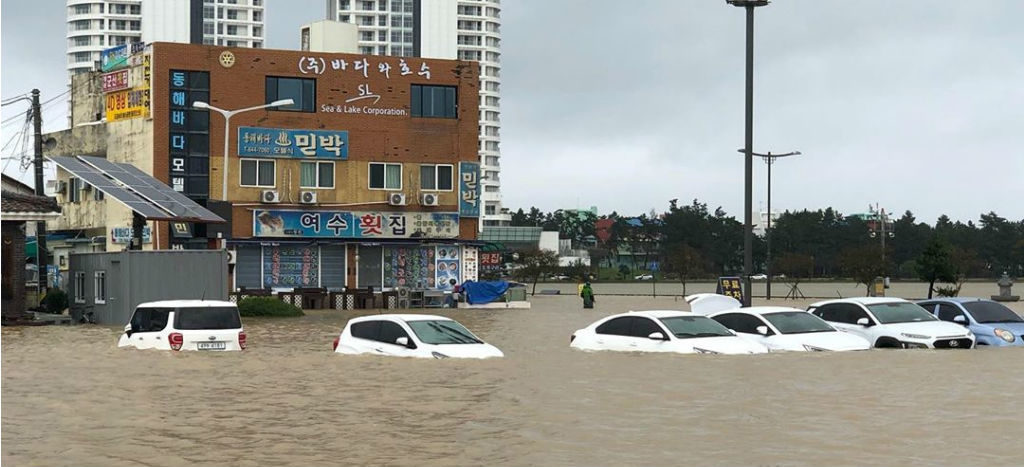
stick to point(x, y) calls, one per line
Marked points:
point(98, 25)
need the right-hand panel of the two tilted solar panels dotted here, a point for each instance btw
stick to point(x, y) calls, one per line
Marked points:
point(154, 191)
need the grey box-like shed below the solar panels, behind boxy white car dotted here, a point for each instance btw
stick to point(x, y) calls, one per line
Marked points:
point(138, 277)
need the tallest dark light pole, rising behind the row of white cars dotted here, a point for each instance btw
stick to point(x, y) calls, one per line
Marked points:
point(749, 148)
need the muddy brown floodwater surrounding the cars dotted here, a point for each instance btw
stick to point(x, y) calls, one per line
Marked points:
point(71, 398)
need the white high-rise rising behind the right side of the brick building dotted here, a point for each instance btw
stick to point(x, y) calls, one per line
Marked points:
point(468, 30)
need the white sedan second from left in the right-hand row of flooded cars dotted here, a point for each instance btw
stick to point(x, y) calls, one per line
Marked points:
point(781, 328)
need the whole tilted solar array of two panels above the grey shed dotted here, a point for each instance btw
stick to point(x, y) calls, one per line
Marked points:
point(141, 193)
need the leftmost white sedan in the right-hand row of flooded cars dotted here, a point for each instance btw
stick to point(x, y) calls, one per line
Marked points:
point(662, 331)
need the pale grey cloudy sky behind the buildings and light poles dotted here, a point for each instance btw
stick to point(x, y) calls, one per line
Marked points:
point(916, 105)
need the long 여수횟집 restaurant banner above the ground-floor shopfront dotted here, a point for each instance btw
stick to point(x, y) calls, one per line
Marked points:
point(352, 225)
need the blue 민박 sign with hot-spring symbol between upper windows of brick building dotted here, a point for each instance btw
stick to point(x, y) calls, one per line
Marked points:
point(279, 143)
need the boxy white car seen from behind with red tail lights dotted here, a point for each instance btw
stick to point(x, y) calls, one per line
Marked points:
point(185, 325)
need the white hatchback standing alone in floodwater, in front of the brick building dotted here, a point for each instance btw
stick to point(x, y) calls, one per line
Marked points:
point(423, 336)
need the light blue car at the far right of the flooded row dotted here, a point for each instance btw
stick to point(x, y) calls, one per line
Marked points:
point(993, 323)
